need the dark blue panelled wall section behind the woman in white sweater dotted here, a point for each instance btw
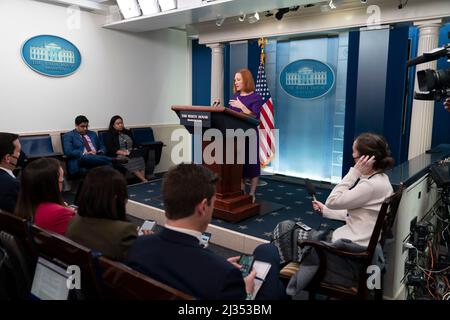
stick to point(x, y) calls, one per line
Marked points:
point(376, 86)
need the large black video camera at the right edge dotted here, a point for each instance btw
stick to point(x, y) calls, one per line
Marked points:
point(433, 84)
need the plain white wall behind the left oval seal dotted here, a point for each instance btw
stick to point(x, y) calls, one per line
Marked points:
point(138, 76)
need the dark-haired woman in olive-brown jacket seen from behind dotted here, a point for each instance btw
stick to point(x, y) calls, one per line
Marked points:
point(101, 223)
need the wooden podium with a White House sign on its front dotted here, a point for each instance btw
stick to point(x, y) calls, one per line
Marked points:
point(231, 204)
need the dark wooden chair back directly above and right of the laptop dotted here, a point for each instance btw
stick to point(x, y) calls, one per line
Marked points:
point(62, 250)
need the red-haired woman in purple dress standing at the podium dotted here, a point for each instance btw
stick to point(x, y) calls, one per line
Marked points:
point(247, 101)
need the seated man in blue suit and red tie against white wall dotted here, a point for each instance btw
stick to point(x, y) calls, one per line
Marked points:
point(83, 148)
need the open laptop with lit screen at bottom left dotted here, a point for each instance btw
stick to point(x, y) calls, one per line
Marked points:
point(49, 282)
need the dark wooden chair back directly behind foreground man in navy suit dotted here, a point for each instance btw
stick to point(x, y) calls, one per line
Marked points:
point(123, 283)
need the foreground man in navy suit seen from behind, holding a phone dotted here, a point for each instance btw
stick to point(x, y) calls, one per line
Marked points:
point(175, 256)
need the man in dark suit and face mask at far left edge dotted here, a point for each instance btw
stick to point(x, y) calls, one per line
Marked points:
point(9, 185)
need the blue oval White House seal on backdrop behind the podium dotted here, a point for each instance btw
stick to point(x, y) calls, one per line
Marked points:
point(307, 79)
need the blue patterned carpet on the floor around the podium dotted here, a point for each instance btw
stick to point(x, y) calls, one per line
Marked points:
point(294, 197)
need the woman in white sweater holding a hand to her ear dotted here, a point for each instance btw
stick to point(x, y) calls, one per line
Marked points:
point(357, 202)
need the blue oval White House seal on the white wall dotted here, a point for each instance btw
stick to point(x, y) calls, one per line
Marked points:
point(51, 55)
